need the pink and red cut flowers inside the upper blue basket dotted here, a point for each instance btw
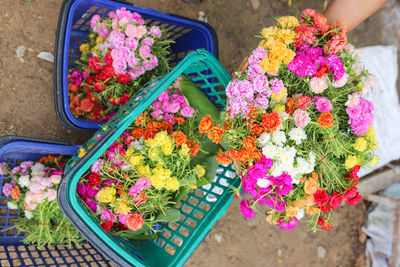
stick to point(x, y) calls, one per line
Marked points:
point(119, 57)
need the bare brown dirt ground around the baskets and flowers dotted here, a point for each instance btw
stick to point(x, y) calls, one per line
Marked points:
point(27, 109)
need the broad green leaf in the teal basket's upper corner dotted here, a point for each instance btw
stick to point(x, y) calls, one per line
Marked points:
point(198, 100)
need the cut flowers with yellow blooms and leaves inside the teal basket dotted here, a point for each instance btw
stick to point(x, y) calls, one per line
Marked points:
point(160, 158)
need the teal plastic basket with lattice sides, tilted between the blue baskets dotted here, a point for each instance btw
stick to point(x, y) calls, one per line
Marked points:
point(200, 209)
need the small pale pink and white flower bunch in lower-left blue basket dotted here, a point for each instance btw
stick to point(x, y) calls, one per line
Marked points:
point(32, 191)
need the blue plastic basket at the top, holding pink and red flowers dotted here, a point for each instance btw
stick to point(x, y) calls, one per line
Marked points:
point(73, 27)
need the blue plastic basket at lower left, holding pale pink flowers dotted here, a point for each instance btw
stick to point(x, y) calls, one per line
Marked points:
point(12, 251)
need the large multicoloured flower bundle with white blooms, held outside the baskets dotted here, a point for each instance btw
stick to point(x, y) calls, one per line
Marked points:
point(298, 126)
